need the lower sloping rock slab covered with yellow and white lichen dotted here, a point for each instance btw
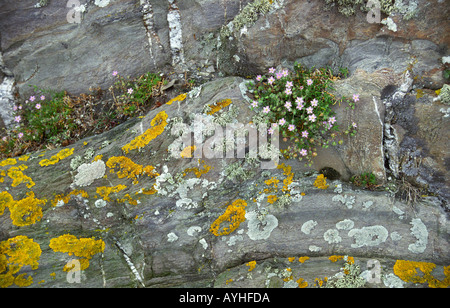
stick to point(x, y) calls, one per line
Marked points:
point(149, 214)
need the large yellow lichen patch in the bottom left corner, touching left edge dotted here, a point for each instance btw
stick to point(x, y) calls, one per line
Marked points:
point(15, 253)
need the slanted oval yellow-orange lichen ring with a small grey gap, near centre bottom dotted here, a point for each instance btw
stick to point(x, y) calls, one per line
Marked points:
point(234, 215)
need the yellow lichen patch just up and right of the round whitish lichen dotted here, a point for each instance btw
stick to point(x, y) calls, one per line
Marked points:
point(129, 169)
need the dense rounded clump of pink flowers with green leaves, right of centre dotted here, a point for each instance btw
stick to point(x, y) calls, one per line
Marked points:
point(299, 104)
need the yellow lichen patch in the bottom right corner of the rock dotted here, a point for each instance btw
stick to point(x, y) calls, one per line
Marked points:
point(407, 271)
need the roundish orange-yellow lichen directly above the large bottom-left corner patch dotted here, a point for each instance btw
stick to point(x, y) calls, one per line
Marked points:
point(26, 211)
